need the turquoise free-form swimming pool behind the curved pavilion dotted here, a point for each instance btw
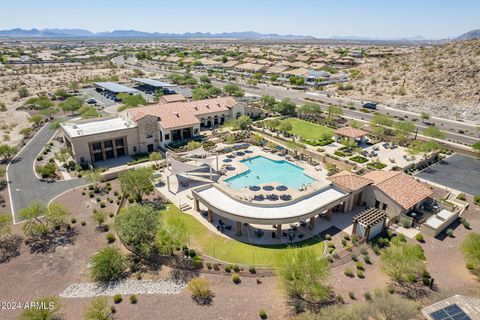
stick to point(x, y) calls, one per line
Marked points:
point(263, 170)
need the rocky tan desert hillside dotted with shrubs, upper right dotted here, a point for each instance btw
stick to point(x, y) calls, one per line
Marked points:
point(442, 80)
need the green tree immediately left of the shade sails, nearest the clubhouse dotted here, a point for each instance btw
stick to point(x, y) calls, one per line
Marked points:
point(136, 183)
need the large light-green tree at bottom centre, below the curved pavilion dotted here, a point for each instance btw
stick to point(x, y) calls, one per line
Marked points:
point(303, 277)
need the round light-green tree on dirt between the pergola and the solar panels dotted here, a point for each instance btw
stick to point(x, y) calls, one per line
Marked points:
point(401, 261)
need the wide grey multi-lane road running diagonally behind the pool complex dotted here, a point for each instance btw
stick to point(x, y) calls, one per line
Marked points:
point(450, 127)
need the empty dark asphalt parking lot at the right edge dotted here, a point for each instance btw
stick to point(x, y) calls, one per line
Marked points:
point(457, 172)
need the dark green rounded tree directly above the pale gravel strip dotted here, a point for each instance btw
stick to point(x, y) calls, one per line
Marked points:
point(107, 264)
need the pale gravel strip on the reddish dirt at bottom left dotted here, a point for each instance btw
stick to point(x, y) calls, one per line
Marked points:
point(86, 290)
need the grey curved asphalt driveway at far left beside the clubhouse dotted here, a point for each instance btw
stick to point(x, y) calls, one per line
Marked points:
point(24, 186)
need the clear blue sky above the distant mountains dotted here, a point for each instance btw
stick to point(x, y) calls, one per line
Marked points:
point(320, 18)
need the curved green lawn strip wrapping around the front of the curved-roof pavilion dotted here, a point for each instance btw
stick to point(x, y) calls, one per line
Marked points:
point(207, 242)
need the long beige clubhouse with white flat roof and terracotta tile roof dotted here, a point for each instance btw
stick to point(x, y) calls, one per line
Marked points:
point(145, 129)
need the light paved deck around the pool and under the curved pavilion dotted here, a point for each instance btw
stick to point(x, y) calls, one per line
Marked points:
point(182, 195)
